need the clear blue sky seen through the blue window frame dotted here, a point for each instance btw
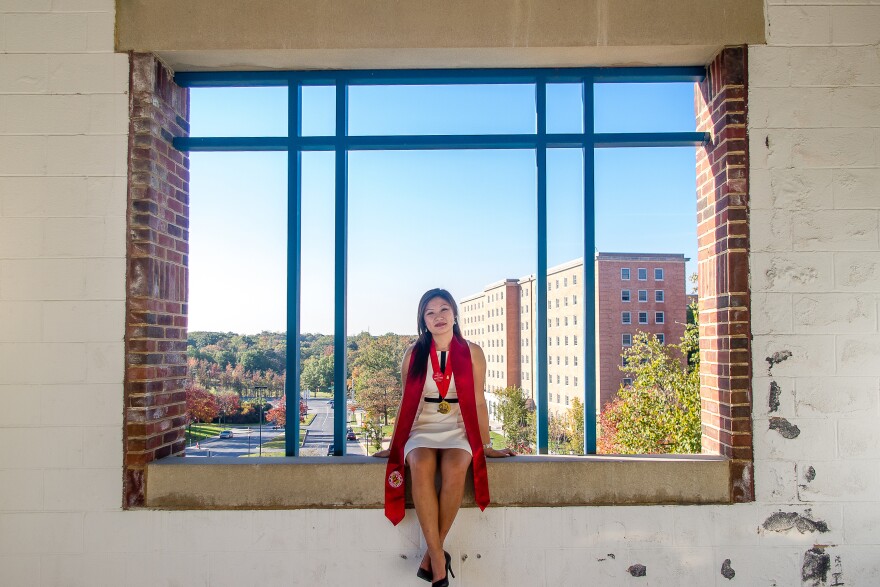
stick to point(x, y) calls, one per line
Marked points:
point(421, 219)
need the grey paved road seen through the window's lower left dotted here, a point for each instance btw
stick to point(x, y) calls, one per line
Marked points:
point(246, 440)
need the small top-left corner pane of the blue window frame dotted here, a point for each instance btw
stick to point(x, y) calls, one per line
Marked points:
point(238, 112)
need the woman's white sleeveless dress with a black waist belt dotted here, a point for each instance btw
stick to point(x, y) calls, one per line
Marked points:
point(431, 429)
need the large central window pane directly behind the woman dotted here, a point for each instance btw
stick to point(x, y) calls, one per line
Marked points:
point(460, 220)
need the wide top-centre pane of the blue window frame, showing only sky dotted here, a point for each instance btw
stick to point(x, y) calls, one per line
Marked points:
point(442, 110)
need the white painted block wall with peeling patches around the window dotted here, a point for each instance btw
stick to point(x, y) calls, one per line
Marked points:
point(815, 266)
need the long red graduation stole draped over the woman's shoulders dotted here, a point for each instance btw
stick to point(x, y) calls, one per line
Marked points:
point(462, 370)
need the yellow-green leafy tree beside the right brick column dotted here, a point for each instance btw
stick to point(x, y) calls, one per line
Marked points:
point(660, 411)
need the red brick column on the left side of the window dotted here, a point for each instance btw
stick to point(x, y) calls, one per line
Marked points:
point(156, 280)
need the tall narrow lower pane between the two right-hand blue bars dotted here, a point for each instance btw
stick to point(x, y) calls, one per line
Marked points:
point(565, 286)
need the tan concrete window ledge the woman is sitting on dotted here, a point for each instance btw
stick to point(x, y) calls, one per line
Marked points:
point(357, 482)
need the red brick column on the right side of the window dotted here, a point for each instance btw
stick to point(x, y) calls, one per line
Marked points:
point(723, 233)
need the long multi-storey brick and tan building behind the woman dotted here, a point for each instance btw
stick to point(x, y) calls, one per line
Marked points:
point(636, 292)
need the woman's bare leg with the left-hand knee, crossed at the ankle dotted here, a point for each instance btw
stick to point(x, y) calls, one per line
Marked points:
point(423, 470)
